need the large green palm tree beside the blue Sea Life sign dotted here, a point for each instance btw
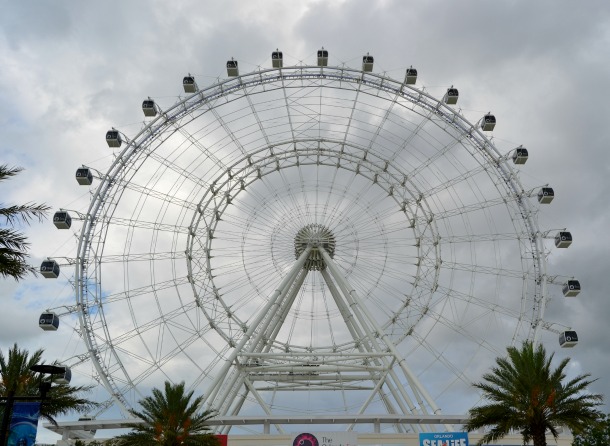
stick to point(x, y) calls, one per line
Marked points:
point(526, 395)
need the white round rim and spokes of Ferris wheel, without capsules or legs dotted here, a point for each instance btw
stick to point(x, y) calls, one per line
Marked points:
point(198, 216)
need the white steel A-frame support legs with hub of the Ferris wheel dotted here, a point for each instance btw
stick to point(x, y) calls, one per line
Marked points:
point(371, 363)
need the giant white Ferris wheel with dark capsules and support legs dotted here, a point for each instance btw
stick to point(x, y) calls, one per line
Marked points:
point(310, 240)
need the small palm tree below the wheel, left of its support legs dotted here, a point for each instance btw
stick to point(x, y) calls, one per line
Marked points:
point(170, 418)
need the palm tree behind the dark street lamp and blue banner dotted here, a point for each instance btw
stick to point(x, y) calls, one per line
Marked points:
point(17, 379)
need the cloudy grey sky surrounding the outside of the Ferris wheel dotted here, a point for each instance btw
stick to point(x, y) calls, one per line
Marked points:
point(71, 70)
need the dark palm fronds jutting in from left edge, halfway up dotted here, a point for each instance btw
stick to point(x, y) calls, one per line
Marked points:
point(13, 244)
